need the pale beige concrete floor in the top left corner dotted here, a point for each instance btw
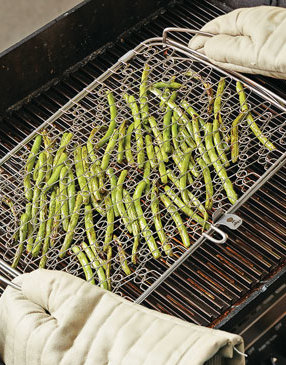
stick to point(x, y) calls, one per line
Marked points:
point(20, 18)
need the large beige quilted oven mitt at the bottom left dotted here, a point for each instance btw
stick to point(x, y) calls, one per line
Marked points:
point(58, 319)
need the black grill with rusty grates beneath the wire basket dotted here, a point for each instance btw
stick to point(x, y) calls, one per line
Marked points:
point(219, 284)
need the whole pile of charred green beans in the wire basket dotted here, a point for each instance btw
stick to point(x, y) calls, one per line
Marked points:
point(70, 186)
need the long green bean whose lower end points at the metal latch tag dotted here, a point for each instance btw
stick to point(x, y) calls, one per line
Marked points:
point(220, 170)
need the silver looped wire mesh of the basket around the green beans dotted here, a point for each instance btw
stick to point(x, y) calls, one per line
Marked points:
point(90, 110)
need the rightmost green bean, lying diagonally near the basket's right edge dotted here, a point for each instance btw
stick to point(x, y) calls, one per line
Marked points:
point(249, 118)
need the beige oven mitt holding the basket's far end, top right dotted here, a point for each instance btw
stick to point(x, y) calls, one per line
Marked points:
point(251, 40)
